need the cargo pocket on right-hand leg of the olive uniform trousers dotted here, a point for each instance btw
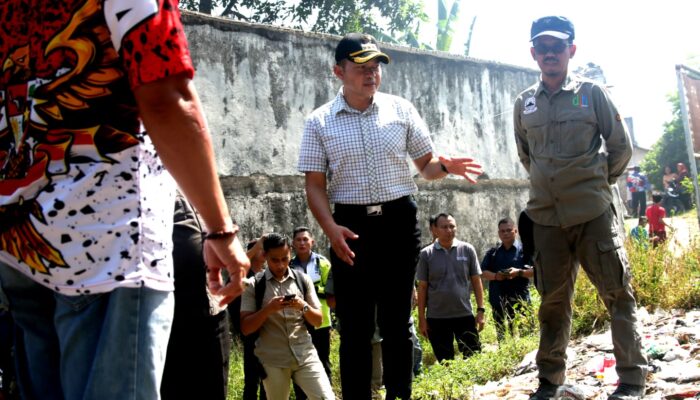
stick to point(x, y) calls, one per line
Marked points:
point(614, 266)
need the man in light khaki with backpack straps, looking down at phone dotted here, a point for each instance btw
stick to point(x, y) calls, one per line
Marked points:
point(278, 304)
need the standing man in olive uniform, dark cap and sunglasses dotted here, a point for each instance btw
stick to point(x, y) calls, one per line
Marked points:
point(560, 125)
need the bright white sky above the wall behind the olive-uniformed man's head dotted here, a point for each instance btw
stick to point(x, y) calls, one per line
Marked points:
point(637, 45)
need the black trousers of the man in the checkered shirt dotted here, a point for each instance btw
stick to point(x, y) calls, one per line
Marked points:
point(380, 282)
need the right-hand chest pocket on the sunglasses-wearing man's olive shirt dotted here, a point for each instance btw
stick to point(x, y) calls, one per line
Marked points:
point(575, 132)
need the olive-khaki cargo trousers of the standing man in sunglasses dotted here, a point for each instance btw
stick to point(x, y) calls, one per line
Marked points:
point(598, 246)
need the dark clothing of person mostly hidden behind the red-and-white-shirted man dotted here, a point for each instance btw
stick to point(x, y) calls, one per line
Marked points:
point(196, 364)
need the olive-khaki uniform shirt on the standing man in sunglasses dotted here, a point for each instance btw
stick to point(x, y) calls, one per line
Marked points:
point(574, 145)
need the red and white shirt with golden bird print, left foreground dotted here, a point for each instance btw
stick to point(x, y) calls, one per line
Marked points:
point(85, 204)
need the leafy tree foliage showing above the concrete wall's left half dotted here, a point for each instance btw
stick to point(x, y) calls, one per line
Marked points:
point(382, 18)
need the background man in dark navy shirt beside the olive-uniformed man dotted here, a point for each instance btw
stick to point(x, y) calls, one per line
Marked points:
point(508, 272)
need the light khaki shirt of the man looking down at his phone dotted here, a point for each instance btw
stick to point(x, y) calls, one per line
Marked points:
point(284, 340)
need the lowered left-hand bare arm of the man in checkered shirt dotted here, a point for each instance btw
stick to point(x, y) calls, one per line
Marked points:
point(317, 198)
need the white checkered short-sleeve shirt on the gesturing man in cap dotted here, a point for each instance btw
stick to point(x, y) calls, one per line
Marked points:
point(364, 153)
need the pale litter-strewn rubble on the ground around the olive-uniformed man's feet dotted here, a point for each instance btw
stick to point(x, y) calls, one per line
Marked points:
point(671, 341)
